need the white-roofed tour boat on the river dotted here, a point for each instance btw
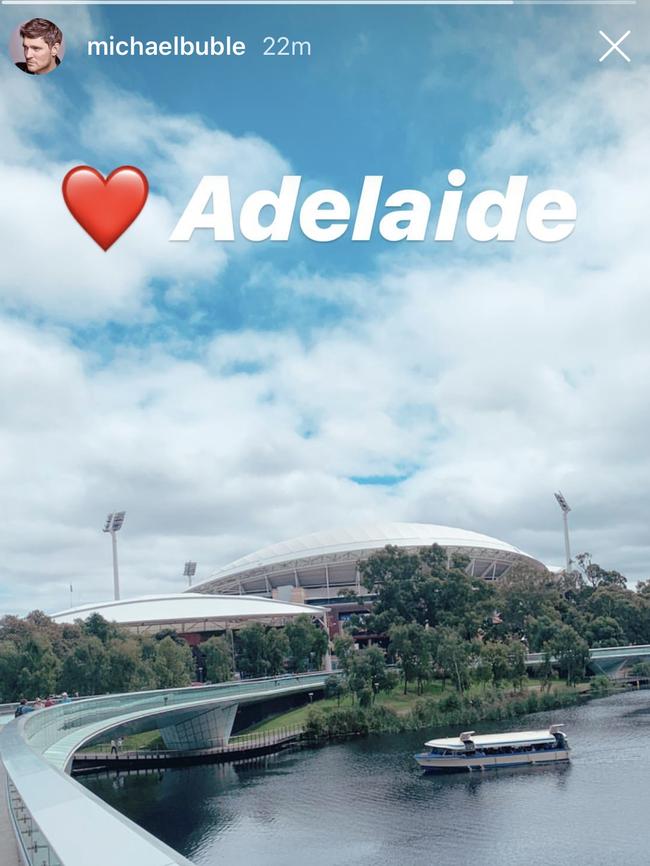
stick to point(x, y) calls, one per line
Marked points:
point(472, 751)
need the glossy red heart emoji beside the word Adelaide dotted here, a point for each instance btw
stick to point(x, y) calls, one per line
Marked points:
point(105, 208)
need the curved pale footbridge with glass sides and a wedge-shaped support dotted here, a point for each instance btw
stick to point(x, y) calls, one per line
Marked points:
point(58, 822)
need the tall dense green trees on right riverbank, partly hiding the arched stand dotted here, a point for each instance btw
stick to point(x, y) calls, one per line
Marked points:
point(437, 621)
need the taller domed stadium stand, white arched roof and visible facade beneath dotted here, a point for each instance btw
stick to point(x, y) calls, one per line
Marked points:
point(319, 568)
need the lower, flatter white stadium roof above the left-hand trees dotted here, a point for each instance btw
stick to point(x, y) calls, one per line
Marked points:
point(189, 611)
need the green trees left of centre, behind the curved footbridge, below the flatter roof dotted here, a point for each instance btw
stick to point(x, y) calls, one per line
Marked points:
point(39, 657)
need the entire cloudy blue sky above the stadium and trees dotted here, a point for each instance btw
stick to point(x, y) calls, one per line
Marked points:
point(233, 396)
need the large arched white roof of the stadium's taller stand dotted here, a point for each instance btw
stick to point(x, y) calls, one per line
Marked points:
point(354, 543)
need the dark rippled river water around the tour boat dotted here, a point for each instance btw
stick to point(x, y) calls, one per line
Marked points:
point(366, 802)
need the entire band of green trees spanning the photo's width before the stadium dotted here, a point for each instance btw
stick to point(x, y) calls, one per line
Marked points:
point(430, 617)
